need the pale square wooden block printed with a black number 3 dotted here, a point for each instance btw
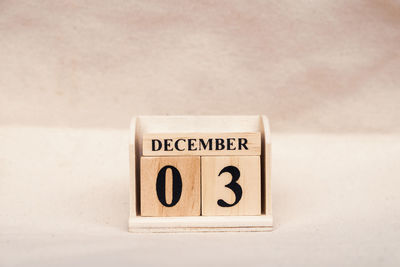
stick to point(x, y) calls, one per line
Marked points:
point(231, 185)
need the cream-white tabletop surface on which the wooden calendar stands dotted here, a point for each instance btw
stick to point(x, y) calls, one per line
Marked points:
point(64, 202)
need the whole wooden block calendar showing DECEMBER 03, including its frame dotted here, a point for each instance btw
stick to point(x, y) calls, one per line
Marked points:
point(200, 174)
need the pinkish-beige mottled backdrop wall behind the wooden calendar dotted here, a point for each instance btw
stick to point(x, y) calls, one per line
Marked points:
point(309, 65)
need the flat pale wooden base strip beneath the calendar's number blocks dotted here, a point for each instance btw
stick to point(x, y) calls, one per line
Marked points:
point(261, 223)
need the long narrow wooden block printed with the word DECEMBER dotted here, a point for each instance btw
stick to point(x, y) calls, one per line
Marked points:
point(183, 144)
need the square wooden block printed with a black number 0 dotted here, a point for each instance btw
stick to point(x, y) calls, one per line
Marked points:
point(170, 186)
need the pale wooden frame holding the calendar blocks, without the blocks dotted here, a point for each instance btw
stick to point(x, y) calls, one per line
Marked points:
point(199, 124)
